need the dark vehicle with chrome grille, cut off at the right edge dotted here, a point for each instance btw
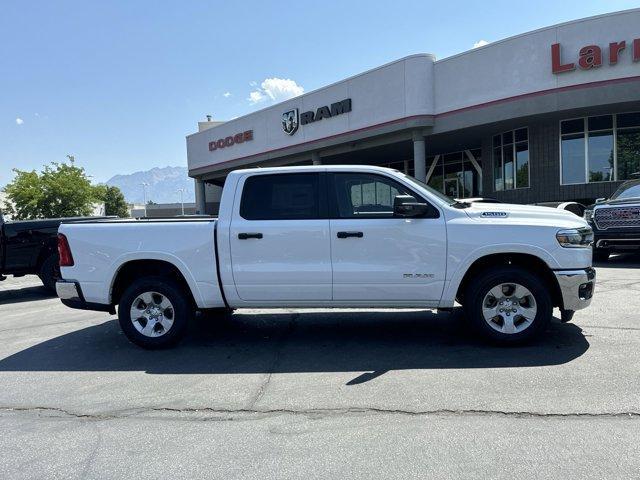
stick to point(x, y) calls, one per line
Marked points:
point(616, 221)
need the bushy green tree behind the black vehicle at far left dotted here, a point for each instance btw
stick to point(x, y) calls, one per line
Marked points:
point(59, 190)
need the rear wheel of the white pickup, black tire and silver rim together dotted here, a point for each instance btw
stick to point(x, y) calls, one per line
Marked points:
point(154, 312)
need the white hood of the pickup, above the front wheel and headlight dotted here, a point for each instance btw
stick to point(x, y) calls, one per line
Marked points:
point(524, 214)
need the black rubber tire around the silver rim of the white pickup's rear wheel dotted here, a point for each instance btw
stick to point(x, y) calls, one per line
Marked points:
point(181, 306)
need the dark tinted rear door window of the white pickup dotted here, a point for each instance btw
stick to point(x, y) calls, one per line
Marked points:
point(292, 196)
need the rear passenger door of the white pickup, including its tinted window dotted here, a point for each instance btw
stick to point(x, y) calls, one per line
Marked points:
point(279, 238)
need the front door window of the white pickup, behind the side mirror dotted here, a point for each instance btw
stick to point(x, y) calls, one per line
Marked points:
point(361, 195)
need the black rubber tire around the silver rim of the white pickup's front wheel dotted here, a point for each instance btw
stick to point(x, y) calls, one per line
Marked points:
point(479, 289)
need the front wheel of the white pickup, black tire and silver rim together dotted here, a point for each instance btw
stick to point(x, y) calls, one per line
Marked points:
point(508, 305)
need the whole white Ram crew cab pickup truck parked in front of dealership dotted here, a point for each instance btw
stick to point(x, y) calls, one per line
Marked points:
point(332, 236)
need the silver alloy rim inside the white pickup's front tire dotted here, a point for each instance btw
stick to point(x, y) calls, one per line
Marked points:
point(509, 308)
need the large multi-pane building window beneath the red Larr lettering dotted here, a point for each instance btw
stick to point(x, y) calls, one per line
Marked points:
point(603, 148)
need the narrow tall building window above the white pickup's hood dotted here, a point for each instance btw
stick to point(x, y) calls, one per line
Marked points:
point(511, 160)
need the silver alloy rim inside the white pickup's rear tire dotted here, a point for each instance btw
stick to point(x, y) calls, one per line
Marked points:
point(152, 314)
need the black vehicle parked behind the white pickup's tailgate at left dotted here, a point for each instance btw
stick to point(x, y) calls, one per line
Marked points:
point(30, 247)
